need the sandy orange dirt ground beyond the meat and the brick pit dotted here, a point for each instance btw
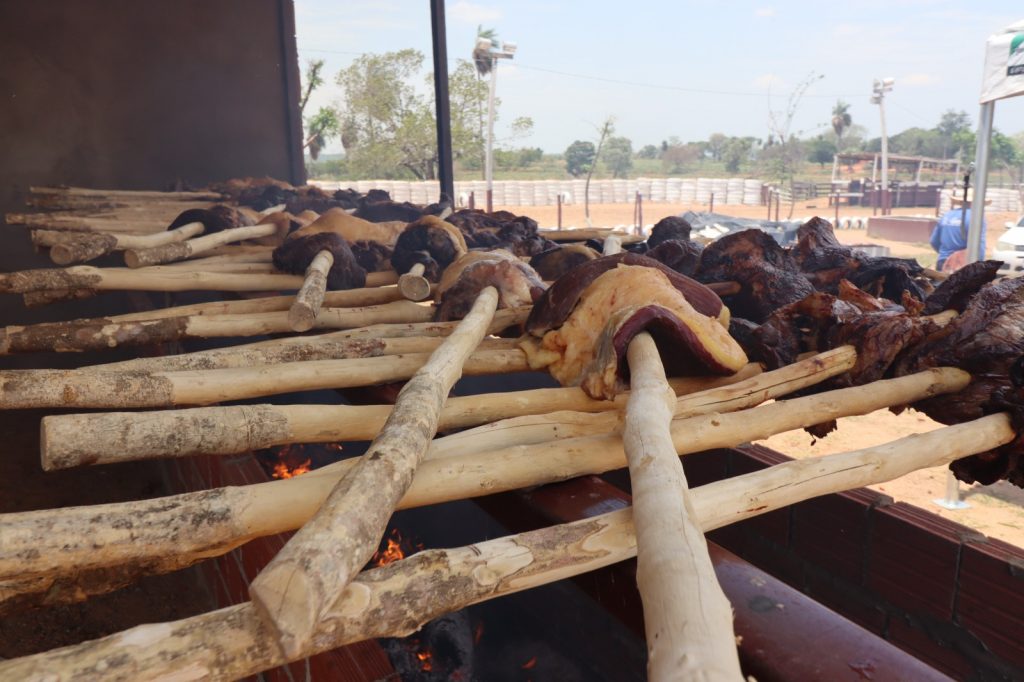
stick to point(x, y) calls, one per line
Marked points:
point(996, 510)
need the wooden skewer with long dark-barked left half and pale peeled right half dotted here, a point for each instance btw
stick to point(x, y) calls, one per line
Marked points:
point(104, 334)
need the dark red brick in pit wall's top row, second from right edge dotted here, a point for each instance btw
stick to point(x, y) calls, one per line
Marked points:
point(914, 559)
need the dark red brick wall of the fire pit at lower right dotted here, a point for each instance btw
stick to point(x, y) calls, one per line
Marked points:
point(940, 590)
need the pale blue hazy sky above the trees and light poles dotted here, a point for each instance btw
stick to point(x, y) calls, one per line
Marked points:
point(689, 68)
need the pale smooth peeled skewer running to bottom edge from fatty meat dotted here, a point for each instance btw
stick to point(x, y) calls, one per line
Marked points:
point(688, 638)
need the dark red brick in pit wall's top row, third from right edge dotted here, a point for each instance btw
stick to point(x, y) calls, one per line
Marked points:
point(832, 533)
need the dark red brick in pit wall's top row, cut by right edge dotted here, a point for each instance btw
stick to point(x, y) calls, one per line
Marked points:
point(991, 603)
